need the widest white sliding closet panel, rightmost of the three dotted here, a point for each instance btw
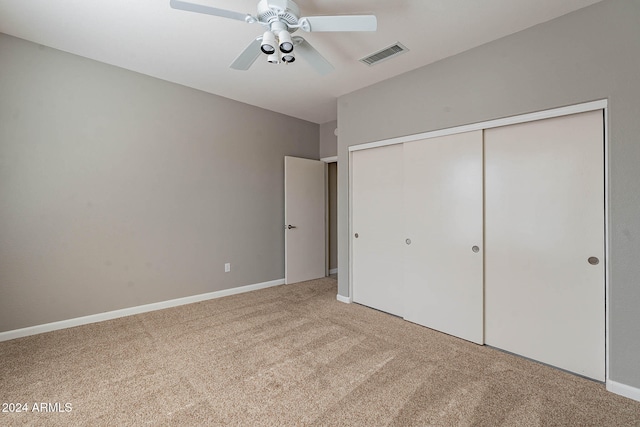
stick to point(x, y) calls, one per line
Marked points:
point(544, 230)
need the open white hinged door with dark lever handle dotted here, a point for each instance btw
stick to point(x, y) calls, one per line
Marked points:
point(304, 212)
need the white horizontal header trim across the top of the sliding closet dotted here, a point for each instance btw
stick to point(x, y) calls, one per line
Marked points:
point(524, 118)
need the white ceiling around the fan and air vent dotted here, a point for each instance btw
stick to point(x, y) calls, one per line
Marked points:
point(195, 50)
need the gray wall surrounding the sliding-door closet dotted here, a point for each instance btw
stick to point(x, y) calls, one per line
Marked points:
point(590, 54)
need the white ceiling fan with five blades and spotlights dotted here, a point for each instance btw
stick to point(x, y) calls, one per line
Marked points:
point(282, 18)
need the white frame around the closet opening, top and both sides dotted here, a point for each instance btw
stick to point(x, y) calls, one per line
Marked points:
point(522, 118)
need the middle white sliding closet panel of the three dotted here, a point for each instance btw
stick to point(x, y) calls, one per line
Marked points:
point(443, 255)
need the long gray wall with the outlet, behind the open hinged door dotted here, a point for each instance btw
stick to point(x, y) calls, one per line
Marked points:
point(118, 189)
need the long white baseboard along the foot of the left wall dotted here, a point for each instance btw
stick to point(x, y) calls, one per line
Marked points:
point(78, 321)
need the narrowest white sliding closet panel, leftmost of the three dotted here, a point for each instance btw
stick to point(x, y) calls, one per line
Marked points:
point(377, 226)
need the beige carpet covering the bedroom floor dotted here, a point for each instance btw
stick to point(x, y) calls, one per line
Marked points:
point(290, 355)
